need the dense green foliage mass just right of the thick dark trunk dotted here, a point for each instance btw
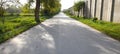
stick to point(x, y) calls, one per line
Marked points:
point(51, 7)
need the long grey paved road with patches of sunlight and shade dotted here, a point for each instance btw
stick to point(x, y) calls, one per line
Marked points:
point(61, 35)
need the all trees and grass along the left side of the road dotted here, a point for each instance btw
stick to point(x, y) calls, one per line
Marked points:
point(16, 17)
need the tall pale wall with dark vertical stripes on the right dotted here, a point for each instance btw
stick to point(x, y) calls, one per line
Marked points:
point(106, 10)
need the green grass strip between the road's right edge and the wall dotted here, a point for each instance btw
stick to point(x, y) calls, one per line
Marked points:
point(111, 29)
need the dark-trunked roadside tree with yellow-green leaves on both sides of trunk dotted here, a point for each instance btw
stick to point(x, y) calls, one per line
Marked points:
point(47, 7)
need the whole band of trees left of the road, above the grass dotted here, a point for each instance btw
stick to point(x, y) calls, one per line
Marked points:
point(47, 7)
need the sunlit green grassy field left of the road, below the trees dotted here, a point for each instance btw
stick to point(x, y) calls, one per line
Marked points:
point(15, 25)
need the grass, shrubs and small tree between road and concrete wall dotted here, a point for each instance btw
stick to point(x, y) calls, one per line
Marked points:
point(108, 28)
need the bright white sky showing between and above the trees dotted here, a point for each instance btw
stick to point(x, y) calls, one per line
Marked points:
point(65, 3)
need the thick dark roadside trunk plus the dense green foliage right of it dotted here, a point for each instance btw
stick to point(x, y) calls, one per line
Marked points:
point(49, 7)
